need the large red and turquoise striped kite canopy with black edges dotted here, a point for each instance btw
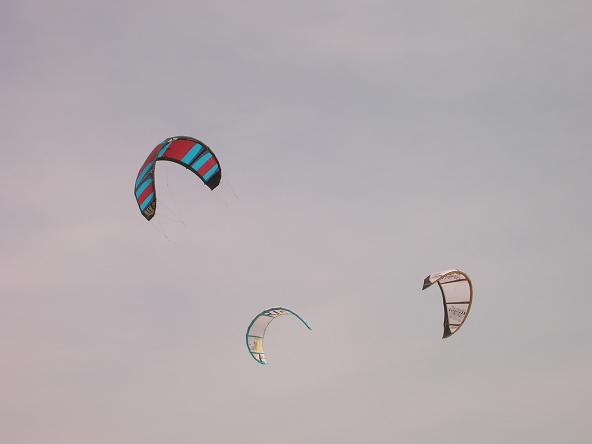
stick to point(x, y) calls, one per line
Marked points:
point(187, 151)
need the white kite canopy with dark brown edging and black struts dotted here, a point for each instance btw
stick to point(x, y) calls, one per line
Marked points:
point(457, 296)
